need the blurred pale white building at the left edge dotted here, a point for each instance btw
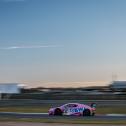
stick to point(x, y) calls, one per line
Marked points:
point(10, 88)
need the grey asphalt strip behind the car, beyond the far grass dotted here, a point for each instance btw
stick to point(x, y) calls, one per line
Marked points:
point(32, 102)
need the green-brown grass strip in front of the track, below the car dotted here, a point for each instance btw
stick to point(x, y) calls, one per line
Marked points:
point(65, 121)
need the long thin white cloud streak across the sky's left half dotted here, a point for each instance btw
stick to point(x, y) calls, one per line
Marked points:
point(30, 47)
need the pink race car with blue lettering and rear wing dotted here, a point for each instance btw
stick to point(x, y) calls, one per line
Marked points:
point(74, 109)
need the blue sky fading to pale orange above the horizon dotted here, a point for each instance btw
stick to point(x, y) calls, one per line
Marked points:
point(62, 42)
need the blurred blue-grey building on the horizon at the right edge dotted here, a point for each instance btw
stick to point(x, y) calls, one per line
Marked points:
point(118, 85)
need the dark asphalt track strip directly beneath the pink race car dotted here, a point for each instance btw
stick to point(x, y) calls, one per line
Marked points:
point(46, 116)
